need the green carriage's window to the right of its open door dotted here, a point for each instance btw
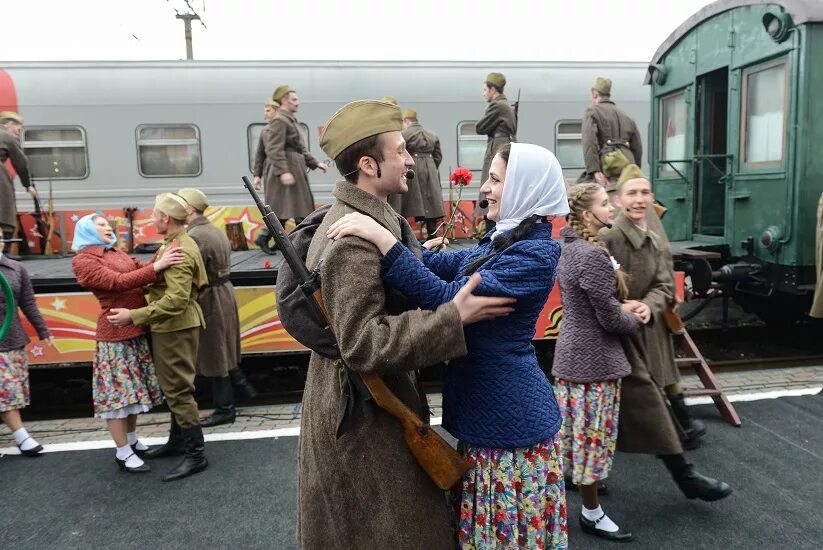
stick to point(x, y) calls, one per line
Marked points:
point(764, 114)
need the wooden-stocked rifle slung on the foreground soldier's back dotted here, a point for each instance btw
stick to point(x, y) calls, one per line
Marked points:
point(439, 460)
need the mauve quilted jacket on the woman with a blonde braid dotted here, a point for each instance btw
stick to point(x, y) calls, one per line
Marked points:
point(588, 348)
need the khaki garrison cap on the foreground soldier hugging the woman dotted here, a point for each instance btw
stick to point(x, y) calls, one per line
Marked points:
point(358, 120)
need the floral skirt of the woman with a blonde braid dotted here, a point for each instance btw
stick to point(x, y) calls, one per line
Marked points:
point(590, 412)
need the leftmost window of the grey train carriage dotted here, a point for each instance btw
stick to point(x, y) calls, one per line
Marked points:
point(56, 152)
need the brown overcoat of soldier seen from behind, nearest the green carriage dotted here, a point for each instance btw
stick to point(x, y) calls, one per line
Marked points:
point(604, 121)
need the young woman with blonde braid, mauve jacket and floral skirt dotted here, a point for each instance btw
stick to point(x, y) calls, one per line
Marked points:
point(589, 360)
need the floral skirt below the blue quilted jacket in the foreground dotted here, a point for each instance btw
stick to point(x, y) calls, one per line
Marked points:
point(512, 498)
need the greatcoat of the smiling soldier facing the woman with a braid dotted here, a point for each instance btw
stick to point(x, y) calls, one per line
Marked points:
point(646, 424)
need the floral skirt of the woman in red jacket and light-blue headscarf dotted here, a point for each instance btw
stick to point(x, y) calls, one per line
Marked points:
point(124, 379)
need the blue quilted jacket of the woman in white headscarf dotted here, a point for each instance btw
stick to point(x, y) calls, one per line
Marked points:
point(496, 396)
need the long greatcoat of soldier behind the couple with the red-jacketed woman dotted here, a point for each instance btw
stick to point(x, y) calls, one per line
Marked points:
point(219, 350)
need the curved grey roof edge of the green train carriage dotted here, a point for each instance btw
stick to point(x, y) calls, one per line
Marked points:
point(801, 11)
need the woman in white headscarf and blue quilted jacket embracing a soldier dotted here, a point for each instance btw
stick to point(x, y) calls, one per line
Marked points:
point(496, 400)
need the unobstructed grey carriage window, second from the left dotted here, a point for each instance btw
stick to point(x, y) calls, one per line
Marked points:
point(168, 150)
